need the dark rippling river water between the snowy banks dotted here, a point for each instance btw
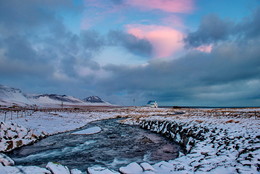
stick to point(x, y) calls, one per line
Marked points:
point(115, 146)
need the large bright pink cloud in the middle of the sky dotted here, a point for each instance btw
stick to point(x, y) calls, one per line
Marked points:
point(165, 40)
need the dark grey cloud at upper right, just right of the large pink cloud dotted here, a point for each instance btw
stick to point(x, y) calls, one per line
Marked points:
point(213, 29)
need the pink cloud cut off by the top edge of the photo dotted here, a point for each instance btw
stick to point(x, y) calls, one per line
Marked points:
point(173, 6)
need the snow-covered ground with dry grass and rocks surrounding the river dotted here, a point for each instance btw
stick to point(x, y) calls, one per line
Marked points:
point(230, 140)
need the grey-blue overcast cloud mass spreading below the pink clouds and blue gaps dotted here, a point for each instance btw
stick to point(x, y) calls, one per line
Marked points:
point(40, 54)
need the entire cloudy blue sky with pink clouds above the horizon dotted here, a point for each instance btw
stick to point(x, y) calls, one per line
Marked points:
point(177, 52)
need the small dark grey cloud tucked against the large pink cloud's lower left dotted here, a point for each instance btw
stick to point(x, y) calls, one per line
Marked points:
point(131, 43)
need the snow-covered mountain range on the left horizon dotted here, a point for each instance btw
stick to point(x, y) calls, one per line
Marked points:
point(12, 96)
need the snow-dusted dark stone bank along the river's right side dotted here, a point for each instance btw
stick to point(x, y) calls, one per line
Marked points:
point(211, 146)
